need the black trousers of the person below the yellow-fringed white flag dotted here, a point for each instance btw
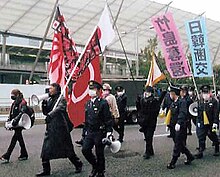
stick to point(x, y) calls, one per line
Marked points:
point(148, 135)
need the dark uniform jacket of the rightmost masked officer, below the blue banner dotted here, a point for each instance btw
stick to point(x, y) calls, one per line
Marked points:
point(212, 111)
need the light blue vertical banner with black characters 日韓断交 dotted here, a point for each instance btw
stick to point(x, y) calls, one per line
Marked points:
point(198, 43)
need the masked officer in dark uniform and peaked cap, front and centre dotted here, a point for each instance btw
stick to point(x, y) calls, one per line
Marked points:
point(98, 125)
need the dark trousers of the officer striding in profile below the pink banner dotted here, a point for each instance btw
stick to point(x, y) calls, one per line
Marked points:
point(180, 143)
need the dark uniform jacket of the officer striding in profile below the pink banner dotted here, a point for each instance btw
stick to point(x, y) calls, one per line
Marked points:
point(179, 112)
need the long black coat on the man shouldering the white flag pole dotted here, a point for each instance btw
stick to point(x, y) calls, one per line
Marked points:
point(57, 142)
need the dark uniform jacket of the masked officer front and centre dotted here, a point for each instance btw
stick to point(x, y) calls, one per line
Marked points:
point(98, 116)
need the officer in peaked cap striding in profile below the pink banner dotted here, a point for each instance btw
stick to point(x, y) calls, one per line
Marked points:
point(178, 127)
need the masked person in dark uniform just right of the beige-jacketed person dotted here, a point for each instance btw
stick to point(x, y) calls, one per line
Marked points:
point(121, 99)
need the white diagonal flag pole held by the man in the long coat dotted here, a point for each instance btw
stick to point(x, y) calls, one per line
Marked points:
point(74, 68)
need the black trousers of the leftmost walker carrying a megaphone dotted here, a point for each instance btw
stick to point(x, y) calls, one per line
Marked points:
point(16, 137)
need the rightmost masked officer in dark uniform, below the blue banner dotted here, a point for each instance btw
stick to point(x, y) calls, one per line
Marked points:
point(207, 121)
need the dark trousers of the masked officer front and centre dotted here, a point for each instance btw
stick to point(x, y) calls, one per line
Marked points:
point(94, 139)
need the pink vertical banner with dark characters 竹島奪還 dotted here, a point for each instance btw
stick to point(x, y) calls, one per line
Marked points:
point(176, 62)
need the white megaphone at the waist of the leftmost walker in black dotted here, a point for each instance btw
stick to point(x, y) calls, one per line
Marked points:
point(24, 122)
